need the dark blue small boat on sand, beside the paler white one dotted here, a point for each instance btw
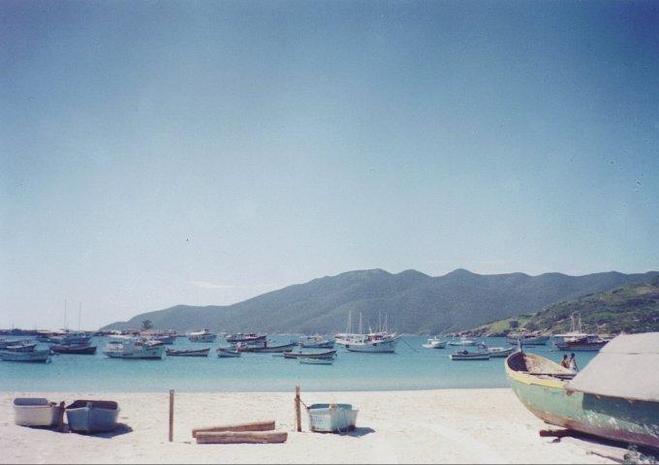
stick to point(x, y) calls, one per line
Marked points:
point(92, 416)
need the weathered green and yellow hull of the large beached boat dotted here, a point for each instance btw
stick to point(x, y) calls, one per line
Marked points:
point(616, 419)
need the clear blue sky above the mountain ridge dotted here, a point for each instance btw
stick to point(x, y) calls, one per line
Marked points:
point(155, 153)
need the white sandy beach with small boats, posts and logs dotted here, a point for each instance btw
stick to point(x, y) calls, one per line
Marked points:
point(443, 426)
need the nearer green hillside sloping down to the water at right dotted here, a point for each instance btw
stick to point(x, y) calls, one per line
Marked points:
point(633, 309)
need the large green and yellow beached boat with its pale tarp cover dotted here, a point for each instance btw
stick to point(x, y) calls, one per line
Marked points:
point(600, 400)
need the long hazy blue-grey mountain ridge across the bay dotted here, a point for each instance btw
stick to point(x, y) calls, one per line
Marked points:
point(414, 302)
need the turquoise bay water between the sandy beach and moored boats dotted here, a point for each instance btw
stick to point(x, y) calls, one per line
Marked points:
point(412, 367)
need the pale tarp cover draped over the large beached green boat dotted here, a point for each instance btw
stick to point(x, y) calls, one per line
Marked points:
point(627, 367)
